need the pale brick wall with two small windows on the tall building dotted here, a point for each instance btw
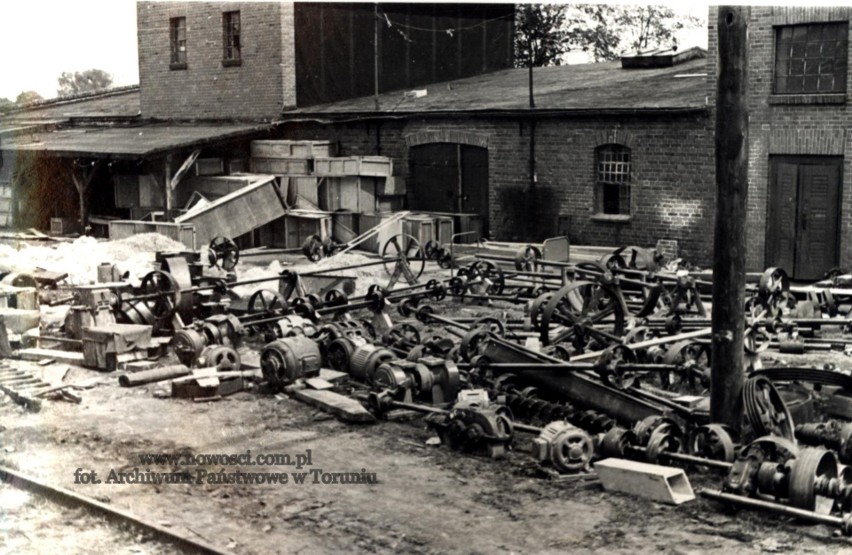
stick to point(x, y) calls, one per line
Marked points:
point(258, 89)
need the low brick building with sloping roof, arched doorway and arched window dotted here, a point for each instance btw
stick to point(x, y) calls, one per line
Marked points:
point(621, 156)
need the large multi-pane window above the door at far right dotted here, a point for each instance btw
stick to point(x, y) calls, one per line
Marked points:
point(811, 58)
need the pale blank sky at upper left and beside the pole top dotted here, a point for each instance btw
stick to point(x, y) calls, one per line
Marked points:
point(40, 39)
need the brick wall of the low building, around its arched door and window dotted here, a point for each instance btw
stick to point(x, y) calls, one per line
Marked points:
point(673, 192)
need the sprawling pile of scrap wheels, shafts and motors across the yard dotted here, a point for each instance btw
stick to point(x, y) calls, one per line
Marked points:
point(590, 361)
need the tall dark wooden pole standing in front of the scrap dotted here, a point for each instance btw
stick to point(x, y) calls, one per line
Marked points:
point(729, 249)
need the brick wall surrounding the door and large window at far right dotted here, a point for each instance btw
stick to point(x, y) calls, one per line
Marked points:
point(803, 128)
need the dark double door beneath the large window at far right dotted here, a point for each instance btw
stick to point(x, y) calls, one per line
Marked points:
point(804, 215)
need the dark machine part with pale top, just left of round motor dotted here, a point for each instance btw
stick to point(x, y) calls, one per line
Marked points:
point(475, 424)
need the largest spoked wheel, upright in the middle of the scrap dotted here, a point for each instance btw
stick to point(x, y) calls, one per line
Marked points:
point(582, 312)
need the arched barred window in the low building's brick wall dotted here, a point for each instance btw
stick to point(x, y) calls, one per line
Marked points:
point(612, 179)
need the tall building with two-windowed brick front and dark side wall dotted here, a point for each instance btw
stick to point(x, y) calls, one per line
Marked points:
point(252, 60)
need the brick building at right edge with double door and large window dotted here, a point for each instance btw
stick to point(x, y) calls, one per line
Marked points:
point(800, 183)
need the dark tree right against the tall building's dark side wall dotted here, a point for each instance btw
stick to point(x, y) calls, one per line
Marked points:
point(540, 34)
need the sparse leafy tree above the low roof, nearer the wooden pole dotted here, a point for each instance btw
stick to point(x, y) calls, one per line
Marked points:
point(606, 31)
